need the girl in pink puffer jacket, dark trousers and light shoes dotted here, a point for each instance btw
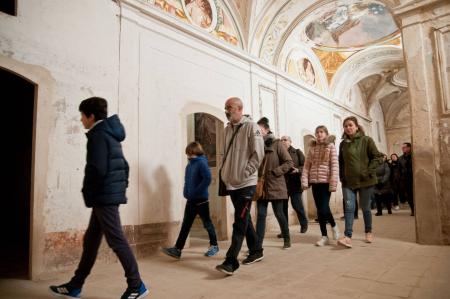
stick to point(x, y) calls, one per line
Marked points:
point(321, 171)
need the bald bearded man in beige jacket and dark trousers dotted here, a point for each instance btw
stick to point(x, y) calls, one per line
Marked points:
point(243, 153)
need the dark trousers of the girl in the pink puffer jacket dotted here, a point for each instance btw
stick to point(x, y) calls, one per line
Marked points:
point(321, 196)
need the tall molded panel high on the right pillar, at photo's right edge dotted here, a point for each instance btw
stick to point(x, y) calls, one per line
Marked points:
point(442, 61)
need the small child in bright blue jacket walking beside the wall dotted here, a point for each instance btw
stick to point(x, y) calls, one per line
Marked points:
point(196, 181)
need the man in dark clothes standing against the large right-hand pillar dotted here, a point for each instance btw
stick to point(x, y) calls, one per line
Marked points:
point(406, 174)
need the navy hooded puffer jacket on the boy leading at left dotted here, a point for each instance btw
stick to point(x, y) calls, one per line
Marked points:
point(106, 172)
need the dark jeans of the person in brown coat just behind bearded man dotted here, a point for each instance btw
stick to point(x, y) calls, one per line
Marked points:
point(277, 206)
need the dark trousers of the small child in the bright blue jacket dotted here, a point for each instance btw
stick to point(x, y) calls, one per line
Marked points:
point(190, 212)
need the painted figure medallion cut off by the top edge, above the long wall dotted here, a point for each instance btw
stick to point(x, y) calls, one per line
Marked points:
point(202, 13)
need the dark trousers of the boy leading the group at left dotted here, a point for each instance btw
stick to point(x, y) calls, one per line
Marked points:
point(106, 220)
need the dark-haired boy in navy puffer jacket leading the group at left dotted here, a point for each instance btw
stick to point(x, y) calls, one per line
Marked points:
point(104, 185)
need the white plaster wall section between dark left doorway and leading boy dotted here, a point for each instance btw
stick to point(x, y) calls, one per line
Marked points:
point(77, 43)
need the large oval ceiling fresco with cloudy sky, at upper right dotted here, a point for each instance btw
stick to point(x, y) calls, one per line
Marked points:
point(348, 24)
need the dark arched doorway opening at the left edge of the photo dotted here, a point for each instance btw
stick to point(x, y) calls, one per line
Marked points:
point(17, 123)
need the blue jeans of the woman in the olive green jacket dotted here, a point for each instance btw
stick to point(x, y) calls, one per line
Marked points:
point(365, 195)
